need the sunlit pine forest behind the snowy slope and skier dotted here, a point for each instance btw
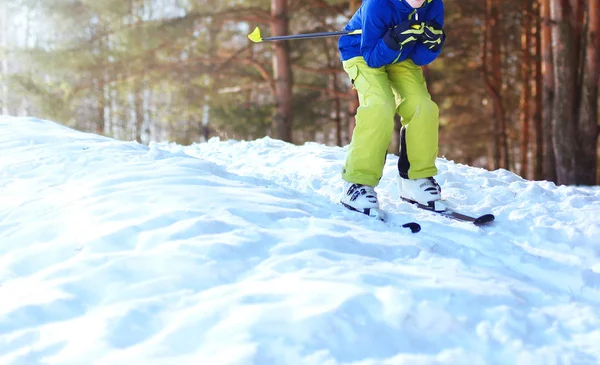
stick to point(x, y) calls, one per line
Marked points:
point(517, 81)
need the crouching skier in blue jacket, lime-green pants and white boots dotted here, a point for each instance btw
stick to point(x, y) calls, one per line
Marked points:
point(384, 65)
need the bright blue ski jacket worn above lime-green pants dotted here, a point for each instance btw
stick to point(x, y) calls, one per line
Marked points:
point(375, 17)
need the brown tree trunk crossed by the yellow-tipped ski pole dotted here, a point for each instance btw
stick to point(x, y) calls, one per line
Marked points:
point(282, 72)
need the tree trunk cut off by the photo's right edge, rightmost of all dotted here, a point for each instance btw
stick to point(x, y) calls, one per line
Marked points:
point(588, 116)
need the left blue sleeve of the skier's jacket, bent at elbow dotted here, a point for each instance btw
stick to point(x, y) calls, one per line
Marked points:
point(375, 22)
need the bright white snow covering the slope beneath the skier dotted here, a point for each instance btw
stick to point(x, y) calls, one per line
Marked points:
point(237, 252)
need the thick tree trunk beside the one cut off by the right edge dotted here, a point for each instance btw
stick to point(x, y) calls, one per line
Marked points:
point(565, 76)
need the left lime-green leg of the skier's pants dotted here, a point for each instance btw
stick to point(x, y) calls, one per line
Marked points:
point(374, 123)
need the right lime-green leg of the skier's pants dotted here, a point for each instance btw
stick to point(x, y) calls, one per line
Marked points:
point(420, 120)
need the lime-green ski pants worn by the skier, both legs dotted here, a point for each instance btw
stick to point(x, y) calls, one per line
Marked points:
point(383, 92)
